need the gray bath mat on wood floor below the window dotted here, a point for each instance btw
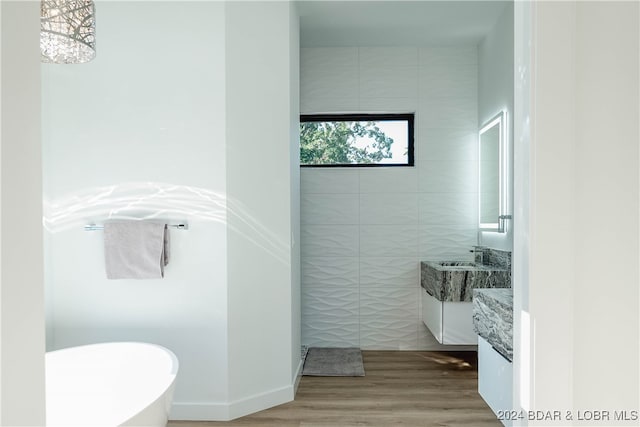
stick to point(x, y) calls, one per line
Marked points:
point(333, 362)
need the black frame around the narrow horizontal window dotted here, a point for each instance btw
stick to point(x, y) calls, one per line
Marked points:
point(352, 117)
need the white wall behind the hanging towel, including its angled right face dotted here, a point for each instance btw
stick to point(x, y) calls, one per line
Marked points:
point(171, 120)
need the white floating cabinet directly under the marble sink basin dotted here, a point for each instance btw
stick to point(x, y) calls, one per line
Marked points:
point(450, 322)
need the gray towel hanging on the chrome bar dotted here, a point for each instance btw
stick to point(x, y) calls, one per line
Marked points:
point(135, 249)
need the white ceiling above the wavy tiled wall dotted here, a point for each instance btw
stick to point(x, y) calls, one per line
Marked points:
point(395, 22)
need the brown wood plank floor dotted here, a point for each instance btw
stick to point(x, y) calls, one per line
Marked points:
point(401, 388)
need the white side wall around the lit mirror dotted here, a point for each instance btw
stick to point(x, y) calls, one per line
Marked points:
point(495, 93)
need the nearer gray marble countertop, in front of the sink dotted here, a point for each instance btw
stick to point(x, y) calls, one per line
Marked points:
point(493, 318)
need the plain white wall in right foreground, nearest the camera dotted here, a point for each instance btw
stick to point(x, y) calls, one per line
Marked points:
point(578, 308)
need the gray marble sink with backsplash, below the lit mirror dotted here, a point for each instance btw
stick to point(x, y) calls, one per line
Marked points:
point(455, 280)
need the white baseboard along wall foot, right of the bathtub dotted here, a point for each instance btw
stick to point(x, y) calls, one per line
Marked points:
point(214, 411)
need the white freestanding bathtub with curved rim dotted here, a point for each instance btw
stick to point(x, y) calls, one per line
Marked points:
point(110, 384)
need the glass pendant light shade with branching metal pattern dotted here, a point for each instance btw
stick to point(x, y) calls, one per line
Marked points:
point(67, 31)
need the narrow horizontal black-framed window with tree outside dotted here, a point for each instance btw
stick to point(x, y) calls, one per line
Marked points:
point(356, 140)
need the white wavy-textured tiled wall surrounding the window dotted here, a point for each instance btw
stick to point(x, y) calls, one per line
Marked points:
point(365, 230)
